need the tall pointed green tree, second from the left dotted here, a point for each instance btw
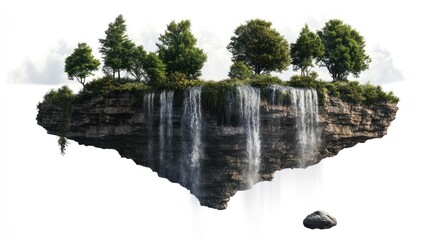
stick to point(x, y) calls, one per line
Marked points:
point(117, 48)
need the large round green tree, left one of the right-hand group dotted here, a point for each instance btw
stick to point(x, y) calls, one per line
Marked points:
point(260, 47)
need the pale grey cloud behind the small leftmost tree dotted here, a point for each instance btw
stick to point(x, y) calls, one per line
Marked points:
point(49, 70)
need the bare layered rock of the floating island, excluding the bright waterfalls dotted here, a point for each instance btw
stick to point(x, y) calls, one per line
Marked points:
point(119, 121)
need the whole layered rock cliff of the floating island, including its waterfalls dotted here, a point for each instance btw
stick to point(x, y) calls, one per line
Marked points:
point(216, 153)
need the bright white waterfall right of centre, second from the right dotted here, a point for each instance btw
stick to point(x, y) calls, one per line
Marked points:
point(249, 103)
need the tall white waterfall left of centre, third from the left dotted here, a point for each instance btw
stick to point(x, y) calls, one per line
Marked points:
point(191, 136)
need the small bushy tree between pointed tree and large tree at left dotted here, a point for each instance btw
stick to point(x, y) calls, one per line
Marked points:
point(154, 69)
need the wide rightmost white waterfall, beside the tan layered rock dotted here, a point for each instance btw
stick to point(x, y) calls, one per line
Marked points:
point(304, 102)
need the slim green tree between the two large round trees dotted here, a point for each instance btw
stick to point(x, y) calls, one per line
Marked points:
point(308, 47)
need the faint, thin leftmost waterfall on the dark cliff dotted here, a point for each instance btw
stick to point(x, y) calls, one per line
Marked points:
point(148, 121)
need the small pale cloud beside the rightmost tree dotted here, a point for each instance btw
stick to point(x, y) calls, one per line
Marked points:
point(381, 69)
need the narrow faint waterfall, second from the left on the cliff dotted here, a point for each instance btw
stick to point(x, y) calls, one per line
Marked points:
point(165, 128)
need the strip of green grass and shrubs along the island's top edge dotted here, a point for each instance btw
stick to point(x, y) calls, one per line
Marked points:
point(352, 91)
